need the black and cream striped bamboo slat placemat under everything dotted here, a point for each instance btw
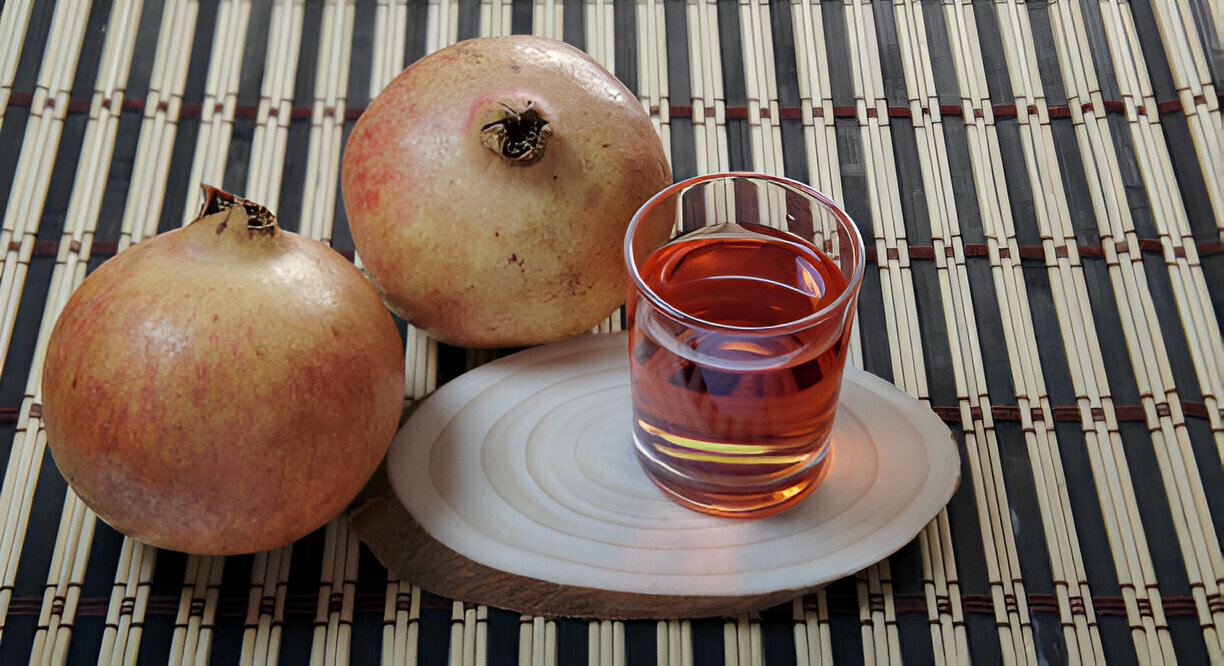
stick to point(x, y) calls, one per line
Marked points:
point(1042, 189)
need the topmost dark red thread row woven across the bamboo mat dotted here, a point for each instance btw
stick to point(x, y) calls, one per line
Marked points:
point(1112, 107)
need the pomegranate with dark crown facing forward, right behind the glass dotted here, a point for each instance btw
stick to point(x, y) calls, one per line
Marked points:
point(490, 185)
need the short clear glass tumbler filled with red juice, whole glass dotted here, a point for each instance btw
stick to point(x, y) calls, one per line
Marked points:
point(742, 293)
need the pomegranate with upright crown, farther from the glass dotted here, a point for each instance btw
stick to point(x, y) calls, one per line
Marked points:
point(227, 387)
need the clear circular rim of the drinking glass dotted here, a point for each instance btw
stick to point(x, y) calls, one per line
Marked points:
point(845, 221)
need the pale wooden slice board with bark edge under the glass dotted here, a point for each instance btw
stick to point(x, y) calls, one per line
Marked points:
point(516, 485)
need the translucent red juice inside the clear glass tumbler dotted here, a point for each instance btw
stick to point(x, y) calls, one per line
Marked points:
point(736, 392)
